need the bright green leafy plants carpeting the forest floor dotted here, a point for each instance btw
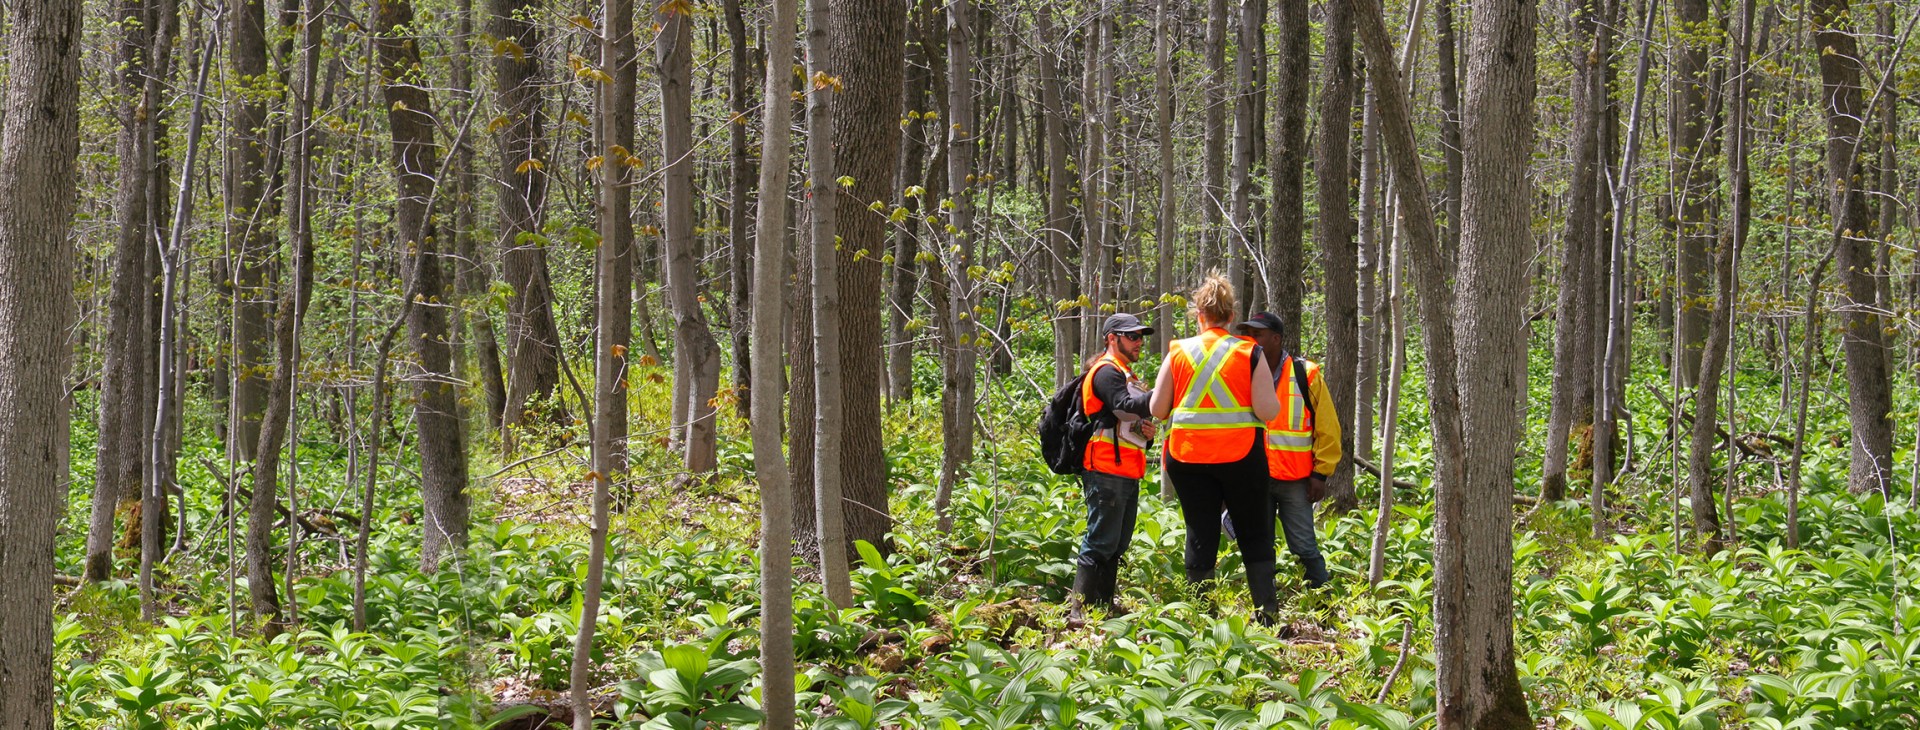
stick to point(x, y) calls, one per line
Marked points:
point(967, 631)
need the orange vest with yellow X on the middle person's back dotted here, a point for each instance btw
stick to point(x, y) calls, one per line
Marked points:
point(1214, 416)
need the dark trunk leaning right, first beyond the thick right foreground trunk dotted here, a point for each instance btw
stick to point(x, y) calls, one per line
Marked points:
point(1573, 329)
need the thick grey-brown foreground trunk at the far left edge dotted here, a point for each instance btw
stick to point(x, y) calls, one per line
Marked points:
point(39, 145)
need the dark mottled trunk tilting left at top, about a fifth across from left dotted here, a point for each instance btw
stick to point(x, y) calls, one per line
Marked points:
point(416, 174)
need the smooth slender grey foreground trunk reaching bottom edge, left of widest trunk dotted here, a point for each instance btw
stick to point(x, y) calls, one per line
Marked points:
point(769, 464)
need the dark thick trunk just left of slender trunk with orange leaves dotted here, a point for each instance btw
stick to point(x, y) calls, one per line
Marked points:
point(533, 337)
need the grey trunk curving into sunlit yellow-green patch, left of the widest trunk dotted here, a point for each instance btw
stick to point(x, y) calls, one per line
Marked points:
point(696, 353)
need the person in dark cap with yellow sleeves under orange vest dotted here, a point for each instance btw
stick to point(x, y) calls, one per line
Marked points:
point(1303, 443)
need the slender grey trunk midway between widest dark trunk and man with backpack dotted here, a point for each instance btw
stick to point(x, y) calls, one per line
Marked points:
point(963, 141)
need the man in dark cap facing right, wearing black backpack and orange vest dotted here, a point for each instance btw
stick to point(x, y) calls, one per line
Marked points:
point(1116, 460)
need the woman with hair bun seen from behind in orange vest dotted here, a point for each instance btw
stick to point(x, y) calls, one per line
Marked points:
point(1216, 391)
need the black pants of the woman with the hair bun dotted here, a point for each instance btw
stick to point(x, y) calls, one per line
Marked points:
point(1237, 485)
